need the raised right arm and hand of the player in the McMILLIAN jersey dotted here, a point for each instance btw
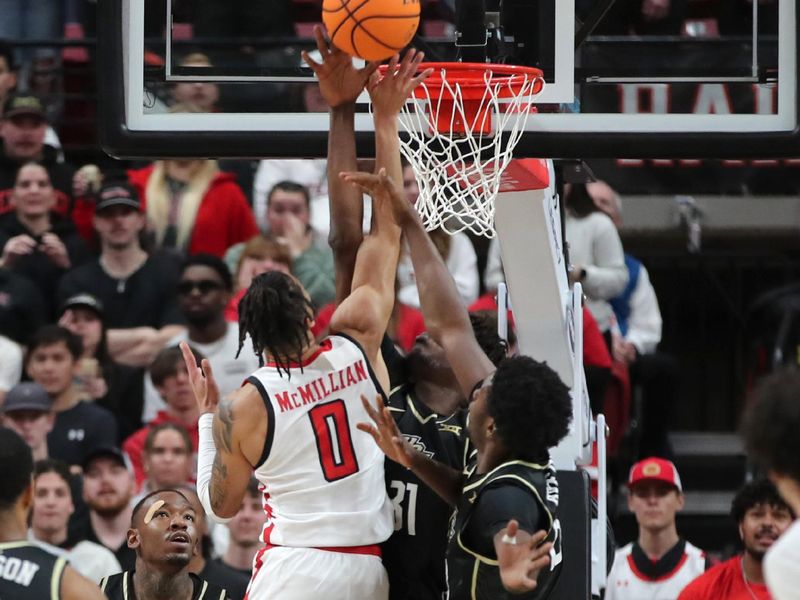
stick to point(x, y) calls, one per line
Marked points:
point(365, 313)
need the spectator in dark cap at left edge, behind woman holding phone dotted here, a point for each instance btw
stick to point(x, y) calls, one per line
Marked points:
point(23, 127)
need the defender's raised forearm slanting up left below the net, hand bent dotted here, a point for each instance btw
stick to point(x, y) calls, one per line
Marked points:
point(446, 317)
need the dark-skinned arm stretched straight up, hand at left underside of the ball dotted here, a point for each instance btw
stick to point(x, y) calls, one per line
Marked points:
point(340, 84)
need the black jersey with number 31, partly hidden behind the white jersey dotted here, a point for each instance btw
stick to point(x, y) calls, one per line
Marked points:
point(414, 554)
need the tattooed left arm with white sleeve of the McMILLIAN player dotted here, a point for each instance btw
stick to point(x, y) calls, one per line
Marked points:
point(230, 431)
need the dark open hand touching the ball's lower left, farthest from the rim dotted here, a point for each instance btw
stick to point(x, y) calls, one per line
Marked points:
point(340, 82)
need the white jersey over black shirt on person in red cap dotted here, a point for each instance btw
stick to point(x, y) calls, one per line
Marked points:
point(626, 582)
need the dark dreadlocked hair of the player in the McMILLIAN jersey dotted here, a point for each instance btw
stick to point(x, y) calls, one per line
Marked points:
point(274, 313)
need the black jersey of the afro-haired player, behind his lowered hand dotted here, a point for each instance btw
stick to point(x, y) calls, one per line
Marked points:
point(476, 577)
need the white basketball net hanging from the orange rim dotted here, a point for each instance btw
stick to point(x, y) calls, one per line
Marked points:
point(459, 172)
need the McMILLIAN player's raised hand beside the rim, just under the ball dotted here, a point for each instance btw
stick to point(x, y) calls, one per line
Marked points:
point(390, 91)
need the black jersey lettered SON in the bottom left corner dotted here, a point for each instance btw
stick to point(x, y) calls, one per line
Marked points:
point(29, 571)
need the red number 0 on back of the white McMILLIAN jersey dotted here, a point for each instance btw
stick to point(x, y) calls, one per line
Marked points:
point(337, 457)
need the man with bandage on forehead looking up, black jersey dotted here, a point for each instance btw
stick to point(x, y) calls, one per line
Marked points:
point(163, 533)
